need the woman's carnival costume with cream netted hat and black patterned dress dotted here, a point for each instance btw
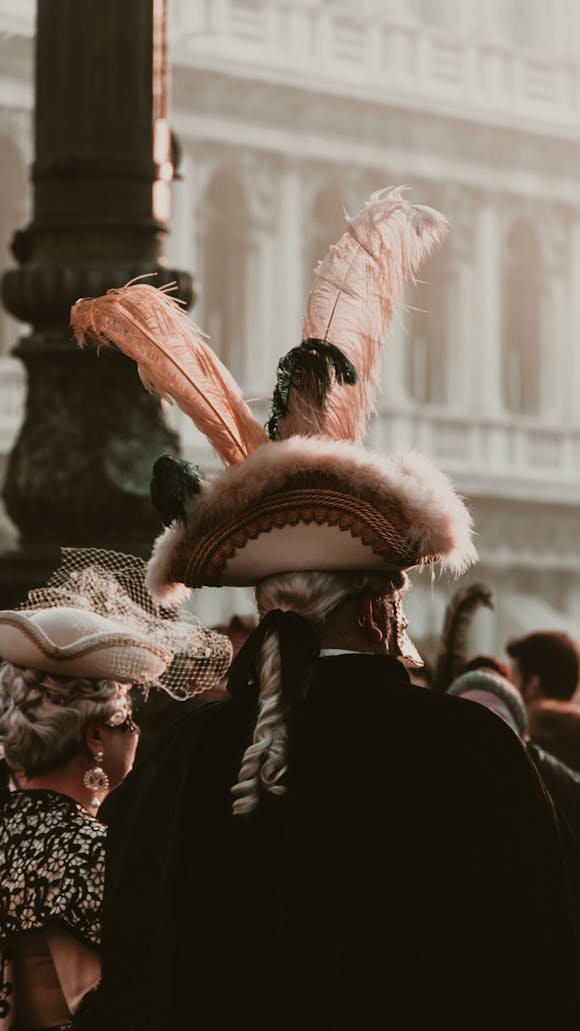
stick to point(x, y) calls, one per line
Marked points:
point(93, 623)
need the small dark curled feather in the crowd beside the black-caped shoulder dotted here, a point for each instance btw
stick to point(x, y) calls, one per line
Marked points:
point(455, 638)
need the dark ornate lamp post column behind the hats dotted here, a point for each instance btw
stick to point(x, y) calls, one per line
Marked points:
point(80, 472)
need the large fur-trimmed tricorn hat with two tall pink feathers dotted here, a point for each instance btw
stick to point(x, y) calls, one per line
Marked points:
point(304, 493)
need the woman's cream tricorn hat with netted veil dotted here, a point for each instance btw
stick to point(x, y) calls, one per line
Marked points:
point(95, 620)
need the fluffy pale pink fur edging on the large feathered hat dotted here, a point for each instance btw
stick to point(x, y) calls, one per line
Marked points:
point(431, 519)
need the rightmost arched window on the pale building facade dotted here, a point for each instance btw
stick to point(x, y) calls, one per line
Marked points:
point(522, 321)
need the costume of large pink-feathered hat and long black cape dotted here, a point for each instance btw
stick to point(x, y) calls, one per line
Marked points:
point(389, 845)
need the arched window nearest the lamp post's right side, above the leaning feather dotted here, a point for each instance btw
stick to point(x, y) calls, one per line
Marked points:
point(225, 270)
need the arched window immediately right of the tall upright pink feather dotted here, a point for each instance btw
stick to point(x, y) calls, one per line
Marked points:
point(427, 322)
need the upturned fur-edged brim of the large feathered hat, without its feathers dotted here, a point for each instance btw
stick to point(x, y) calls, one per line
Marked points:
point(309, 504)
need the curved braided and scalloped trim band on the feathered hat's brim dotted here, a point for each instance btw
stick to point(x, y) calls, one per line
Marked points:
point(215, 550)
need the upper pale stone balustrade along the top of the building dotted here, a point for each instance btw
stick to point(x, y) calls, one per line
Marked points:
point(342, 46)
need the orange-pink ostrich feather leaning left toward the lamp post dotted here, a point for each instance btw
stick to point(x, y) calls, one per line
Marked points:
point(175, 361)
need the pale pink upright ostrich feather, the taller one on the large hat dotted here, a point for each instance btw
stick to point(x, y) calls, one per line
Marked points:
point(357, 289)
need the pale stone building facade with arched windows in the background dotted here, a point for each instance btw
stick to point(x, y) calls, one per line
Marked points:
point(288, 112)
